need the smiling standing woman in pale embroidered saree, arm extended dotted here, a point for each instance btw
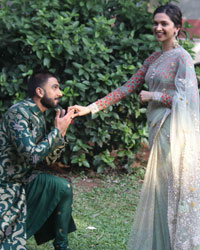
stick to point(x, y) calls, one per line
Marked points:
point(168, 214)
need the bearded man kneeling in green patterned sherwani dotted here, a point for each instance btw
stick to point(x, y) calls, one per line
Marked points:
point(32, 202)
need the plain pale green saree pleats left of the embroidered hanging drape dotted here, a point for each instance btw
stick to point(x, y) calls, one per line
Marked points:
point(150, 230)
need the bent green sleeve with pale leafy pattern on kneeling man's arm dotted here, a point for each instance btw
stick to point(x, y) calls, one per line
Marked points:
point(24, 141)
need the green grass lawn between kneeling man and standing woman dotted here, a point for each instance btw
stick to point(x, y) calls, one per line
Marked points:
point(103, 211)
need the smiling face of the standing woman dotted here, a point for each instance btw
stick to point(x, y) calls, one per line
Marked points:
point(163, 28)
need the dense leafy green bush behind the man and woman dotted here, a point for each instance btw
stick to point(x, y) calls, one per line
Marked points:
point(93, 46)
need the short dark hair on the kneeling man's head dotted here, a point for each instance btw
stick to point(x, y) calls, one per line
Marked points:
point(36, 80)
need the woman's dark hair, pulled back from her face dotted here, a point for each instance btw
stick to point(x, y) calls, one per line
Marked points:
point(173, 12)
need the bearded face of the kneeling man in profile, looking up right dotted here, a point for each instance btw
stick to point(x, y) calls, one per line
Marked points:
point(52, 93)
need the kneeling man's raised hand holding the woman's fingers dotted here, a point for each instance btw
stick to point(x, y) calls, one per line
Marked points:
point(63, 121)
